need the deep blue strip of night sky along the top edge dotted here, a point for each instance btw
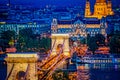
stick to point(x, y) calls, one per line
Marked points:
point(58, 3)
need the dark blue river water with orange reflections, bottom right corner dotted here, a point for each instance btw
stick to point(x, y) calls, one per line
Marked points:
point(98, 71)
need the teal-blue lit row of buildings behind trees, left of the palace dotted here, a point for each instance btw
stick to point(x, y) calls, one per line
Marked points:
point(37, 28)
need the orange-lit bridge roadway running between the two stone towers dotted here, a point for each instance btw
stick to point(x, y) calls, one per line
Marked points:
point(47, 68)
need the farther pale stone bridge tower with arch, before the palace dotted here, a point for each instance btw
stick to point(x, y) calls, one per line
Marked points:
point(62, 39)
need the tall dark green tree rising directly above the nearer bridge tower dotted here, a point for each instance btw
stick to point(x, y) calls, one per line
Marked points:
point(25, 39)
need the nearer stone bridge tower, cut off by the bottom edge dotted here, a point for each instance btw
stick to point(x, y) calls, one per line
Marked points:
point(21, 66)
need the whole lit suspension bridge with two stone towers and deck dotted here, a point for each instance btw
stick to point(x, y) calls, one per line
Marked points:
point(23, 66)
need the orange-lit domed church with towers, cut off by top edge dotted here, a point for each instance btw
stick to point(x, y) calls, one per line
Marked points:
point(101, 9)
